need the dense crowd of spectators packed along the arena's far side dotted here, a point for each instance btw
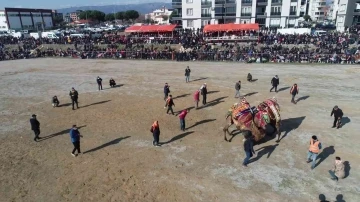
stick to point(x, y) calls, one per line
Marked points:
point(267, 47)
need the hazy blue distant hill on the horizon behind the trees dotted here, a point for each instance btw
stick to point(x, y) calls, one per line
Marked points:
point(141, 8)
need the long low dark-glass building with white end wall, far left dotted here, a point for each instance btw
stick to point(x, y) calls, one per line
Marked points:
point(26, 19)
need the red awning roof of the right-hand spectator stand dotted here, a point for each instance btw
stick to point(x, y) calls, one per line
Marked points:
point(230, 27)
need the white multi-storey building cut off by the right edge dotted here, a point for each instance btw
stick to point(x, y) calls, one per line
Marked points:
point(347, 13)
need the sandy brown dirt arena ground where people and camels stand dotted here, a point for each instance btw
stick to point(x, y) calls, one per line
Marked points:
point(119, 162)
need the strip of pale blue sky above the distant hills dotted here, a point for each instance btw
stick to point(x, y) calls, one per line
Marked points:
point(49, 4)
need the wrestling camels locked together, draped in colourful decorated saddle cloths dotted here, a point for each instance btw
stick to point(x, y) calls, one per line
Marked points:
point(261, 120)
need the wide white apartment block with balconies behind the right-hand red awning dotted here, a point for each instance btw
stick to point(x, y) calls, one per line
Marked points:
point(268, 13)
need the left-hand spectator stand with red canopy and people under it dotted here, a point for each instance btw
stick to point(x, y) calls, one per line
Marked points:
point(151, 32)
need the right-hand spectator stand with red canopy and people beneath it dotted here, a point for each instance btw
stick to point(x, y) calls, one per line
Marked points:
point(231, 32)
